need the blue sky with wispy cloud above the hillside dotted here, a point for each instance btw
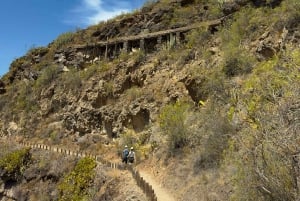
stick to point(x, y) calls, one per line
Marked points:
point(33, 23)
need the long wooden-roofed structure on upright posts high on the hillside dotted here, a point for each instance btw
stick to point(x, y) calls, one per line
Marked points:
point(145, 42)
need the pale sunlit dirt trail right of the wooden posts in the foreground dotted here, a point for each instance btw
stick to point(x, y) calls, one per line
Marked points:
point(161, 193)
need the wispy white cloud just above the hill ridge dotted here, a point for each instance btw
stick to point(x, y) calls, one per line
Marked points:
point(91, 12)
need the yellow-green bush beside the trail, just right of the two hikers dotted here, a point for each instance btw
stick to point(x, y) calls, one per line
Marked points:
point(172, 121)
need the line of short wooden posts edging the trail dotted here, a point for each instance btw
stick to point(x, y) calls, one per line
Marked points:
point(141, 182)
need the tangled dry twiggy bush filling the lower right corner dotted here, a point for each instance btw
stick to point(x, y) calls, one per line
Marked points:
point(266, 168)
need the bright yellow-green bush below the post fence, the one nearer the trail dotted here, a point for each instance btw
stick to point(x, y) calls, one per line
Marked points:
point(74, 185)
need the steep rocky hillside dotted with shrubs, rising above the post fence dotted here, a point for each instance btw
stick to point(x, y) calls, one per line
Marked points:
point(207, 92)
